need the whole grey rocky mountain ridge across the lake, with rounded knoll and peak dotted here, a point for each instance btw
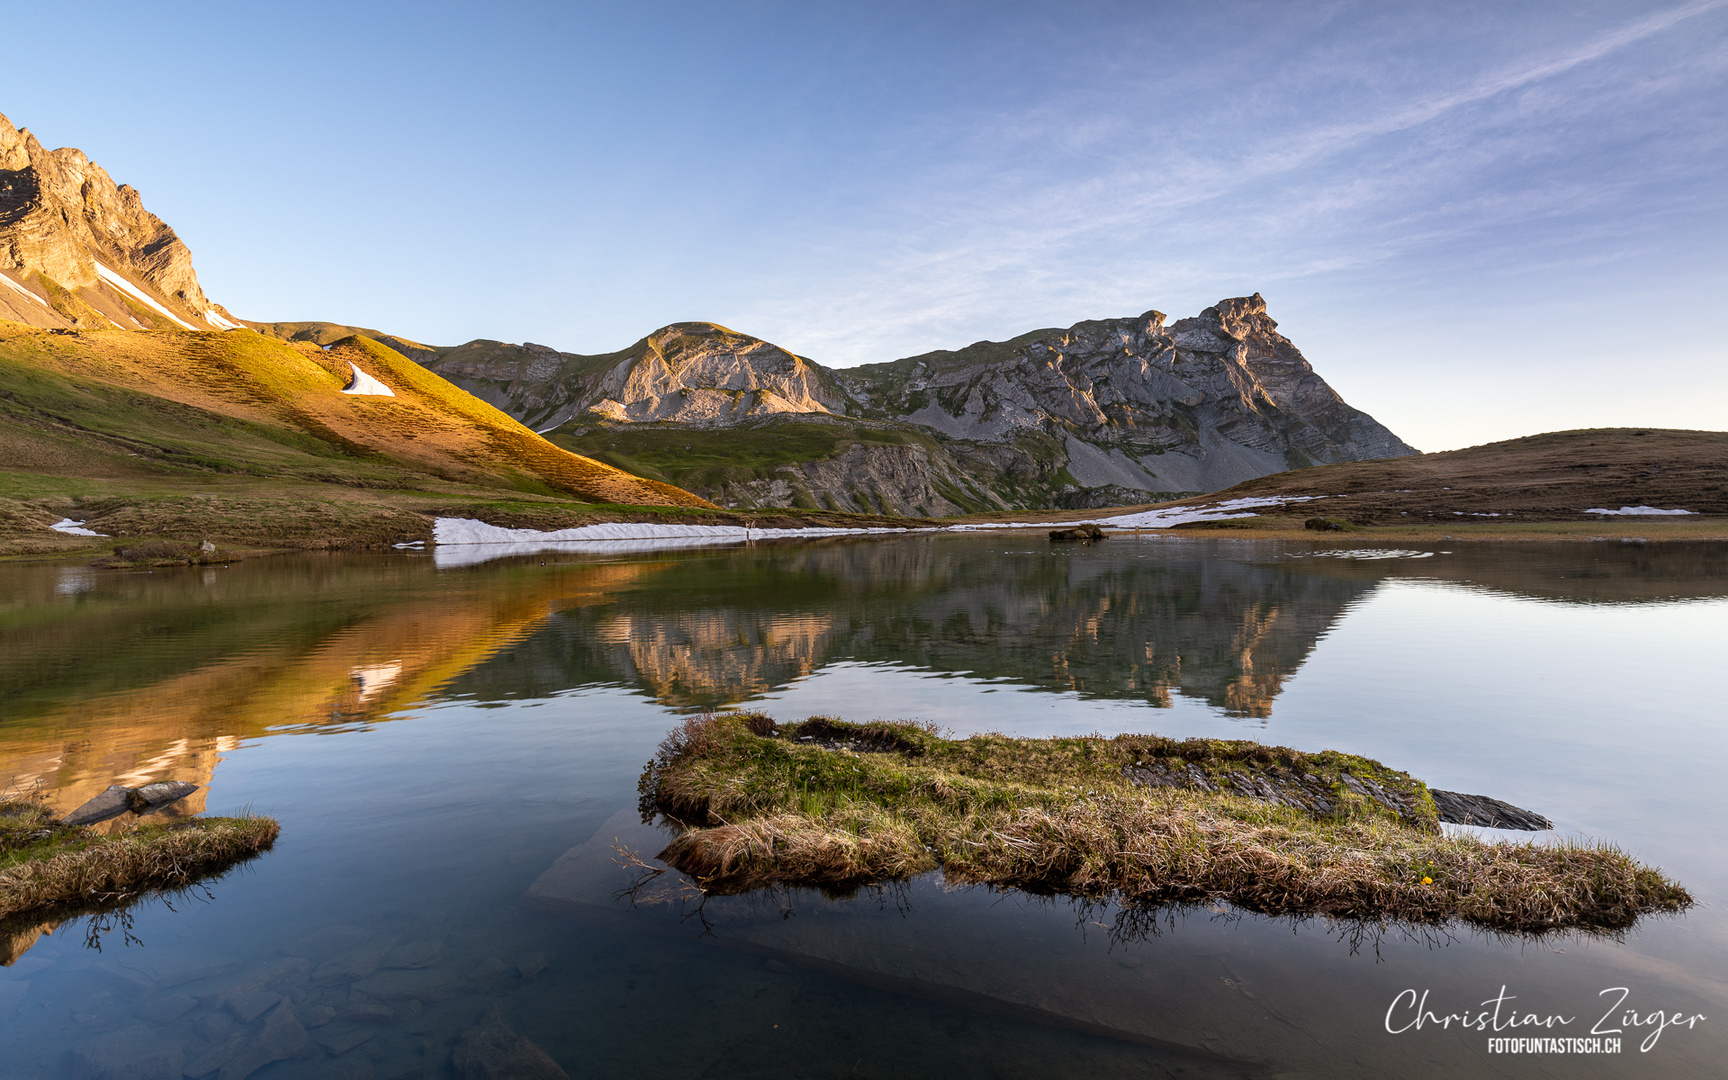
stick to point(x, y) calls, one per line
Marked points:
point(1100, 414)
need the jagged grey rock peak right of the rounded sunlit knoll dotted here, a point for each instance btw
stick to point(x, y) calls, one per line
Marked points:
point(1197, 407)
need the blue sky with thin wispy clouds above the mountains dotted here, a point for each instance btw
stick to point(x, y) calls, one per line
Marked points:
point(1478, 220)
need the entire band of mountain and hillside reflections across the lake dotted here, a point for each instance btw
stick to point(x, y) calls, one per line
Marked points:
point(120, 678)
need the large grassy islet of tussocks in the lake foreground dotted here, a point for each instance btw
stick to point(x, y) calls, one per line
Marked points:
point(841, 806)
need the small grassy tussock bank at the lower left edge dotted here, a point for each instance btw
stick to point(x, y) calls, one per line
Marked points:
point(53, 868)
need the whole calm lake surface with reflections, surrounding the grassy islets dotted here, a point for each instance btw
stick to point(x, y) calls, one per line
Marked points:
point(452, 756)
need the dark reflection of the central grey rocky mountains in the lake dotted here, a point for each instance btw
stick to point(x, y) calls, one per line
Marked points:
point(1228, 633)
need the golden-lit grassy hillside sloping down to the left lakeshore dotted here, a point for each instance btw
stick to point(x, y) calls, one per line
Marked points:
point(241, 438)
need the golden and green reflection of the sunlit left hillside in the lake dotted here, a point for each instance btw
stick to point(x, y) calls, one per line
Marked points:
point(155, 680)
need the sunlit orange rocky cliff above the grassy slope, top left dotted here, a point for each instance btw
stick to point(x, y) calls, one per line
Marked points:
point(79, 250)
